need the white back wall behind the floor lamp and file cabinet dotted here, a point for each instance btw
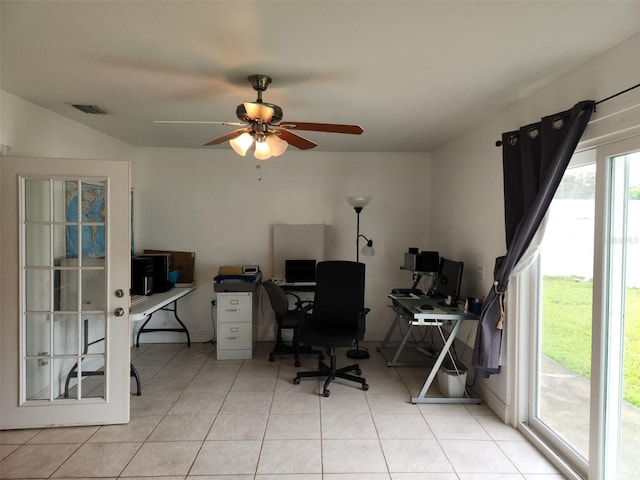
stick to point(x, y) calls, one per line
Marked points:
point(210, 202)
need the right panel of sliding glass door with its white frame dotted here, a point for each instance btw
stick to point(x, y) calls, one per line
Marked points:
point(616, 437)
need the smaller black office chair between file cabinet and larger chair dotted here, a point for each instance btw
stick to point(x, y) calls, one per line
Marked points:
point(287, 319)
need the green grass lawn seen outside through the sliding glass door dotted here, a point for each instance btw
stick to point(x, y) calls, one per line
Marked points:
point(567, 330)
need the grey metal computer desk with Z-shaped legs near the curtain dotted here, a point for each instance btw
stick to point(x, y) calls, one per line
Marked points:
point(408, 309)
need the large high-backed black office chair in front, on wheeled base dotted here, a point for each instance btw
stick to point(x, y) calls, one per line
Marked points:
point(335, 319)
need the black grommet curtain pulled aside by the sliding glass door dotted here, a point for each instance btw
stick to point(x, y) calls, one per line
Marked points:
point(534, 159)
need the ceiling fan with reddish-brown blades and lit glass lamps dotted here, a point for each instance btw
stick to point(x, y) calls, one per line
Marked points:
point(262, 125)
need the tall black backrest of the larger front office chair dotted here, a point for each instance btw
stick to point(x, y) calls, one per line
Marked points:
point(339, 293)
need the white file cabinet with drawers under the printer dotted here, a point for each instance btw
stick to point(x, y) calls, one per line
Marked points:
point(237, 326)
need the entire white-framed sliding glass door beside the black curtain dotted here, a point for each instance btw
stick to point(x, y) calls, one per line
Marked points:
point(581, 402)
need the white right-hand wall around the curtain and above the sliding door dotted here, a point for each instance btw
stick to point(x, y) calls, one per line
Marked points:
point(468, 173)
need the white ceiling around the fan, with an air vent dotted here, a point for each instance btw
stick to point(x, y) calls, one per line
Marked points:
point(413, 74)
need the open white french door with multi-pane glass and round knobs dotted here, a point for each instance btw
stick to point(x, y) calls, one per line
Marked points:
point(65, 292)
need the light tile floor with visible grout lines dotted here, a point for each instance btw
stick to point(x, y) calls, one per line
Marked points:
point(199, 418)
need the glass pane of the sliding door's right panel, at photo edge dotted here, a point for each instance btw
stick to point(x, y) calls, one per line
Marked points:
point(623, 361)
